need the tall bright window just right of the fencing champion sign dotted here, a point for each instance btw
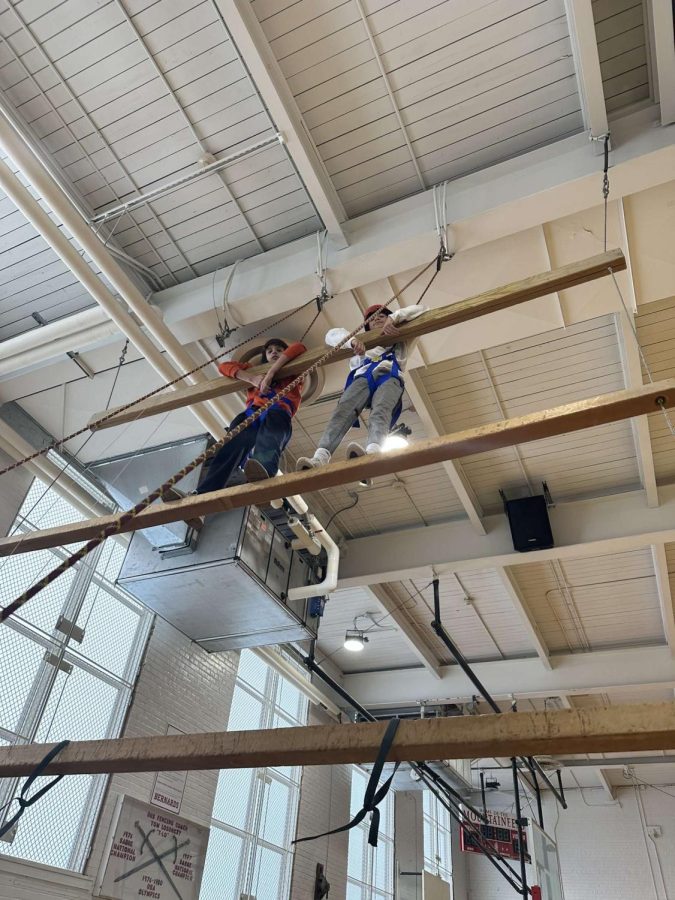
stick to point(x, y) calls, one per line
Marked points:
point(255, 810)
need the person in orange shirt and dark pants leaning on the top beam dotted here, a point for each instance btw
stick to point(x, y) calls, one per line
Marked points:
point(262, 442)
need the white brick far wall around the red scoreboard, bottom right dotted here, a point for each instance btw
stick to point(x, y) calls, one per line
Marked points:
point(603, 851)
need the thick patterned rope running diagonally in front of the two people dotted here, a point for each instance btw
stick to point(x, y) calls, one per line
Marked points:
point(119, 524)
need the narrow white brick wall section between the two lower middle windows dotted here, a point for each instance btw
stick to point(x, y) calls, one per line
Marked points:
point(324, 804)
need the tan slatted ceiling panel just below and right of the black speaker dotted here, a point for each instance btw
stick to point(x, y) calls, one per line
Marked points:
point(590, 603)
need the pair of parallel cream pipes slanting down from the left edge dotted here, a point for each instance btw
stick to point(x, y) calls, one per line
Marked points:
point(13, 145)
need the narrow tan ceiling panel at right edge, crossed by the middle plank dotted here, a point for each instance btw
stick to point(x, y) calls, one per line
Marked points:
point(655, 325)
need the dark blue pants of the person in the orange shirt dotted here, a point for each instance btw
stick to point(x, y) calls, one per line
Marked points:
point(264, 441)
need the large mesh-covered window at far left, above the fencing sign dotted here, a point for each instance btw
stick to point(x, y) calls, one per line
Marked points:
point(63, 677)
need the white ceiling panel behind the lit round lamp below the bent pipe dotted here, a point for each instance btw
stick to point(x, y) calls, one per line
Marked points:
point(385, 649)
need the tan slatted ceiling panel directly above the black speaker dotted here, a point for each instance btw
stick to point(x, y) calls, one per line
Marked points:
point(535, 374)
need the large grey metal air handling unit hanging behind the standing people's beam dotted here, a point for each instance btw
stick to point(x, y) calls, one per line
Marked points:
point(239, 584)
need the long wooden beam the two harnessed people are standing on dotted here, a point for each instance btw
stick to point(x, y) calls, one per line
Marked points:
point(505, 433)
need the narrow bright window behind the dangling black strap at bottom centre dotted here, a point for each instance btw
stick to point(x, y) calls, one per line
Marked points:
point(370, 870)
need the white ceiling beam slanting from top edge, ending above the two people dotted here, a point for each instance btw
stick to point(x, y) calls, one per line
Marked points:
point(248, 37)
